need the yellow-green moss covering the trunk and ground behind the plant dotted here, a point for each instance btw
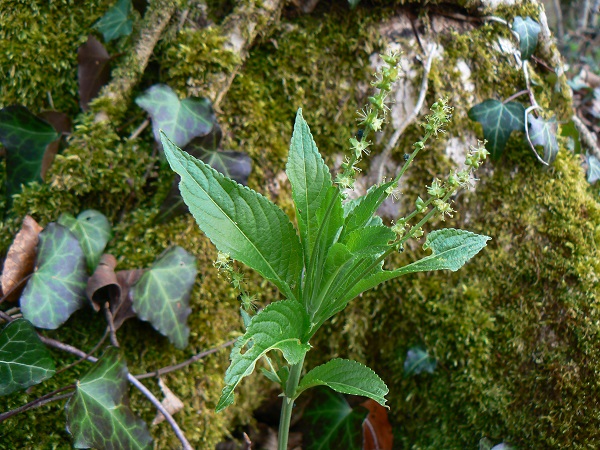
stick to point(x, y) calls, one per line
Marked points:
point(515, 332)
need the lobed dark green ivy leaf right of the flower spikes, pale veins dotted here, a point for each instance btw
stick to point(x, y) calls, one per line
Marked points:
point(498, 121)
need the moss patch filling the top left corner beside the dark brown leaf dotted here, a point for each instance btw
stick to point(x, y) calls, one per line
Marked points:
point(38, 51)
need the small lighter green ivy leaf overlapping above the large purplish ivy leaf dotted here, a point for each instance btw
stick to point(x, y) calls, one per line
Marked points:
point(93, 231)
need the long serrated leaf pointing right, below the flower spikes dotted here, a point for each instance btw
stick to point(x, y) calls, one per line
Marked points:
point(451, 249)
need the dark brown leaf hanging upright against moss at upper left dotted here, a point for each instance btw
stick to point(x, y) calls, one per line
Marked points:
point(93, 71)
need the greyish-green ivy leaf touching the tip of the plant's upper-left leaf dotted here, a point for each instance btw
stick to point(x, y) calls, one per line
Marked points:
point(180, 120)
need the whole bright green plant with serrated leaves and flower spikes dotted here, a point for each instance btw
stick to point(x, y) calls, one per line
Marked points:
point(337, 253)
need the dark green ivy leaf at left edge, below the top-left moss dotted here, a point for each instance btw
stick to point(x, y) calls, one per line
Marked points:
point(26, 138)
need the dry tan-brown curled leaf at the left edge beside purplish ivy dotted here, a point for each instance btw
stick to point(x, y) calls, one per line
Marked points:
point(20, 259)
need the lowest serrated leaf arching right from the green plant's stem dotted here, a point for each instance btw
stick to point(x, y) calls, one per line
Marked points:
point(347, 377)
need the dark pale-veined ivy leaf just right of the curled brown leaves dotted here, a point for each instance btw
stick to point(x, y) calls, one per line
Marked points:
point(162, 295)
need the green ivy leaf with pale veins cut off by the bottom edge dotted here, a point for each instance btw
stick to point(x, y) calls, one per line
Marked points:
point(98, 415)
